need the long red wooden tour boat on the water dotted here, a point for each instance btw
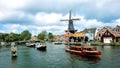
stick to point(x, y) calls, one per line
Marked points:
point(84, 51)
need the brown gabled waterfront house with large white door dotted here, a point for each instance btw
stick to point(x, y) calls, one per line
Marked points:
point(107, 35)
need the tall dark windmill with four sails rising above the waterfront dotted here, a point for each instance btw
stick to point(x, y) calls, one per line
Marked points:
point(71, 28)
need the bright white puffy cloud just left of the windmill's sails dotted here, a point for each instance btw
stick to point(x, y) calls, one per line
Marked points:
point(47, 19)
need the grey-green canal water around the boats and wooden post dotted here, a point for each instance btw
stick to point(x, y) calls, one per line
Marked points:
point(56, 57)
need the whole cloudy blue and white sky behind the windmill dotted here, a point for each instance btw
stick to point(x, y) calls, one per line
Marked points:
point(39, 15)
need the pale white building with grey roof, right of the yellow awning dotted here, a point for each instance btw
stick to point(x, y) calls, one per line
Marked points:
point(90, 33)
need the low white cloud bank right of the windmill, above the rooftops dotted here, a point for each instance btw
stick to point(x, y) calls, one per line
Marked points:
point(93, 23)
